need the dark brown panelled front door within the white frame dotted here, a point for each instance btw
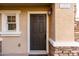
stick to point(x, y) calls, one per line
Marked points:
point(37, 31)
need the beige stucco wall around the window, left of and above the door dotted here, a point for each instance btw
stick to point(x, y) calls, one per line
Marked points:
point(10, 43)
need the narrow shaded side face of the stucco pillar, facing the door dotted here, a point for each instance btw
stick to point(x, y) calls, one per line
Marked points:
point(52, 23)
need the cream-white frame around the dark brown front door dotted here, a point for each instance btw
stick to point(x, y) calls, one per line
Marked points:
point(28, 27)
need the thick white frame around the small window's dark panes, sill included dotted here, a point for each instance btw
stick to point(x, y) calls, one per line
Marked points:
point(5, 31)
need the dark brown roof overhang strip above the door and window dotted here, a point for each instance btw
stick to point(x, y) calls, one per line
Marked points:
point(25, 4)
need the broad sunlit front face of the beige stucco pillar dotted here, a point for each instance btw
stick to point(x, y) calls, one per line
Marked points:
point(64, 23)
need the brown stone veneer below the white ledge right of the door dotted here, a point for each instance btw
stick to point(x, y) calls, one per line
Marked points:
point(63, 51)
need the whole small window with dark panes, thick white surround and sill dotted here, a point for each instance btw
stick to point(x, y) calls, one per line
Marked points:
point(10, 23)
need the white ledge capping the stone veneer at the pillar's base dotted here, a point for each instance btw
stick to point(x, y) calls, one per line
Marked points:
point(63, 43)
